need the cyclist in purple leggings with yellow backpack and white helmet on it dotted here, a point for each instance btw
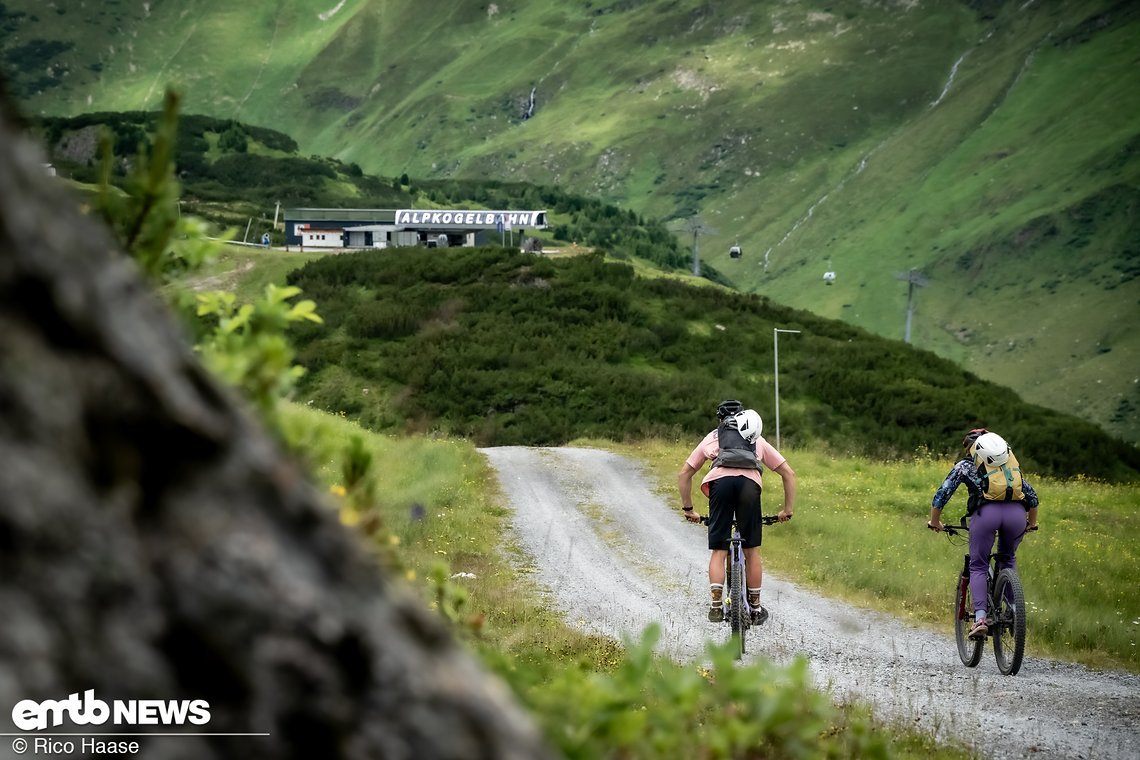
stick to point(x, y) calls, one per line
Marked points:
point(1009, 521)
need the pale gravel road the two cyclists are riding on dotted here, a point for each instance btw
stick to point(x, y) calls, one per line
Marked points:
point(617, 557)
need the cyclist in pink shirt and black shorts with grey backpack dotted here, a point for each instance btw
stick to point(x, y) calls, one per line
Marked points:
point(734, 488)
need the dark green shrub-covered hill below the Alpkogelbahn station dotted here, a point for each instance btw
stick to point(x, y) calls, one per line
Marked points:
point(511, 349)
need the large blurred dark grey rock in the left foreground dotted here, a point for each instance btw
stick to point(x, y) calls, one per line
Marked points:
point(157, 545)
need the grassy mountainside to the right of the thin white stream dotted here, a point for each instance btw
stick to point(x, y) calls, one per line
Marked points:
point(968, 220)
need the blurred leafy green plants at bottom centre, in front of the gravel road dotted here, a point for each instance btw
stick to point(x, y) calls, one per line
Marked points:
point(653, 708)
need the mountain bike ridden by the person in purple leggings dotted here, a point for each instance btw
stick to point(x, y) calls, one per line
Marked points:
point(1005, 611)
